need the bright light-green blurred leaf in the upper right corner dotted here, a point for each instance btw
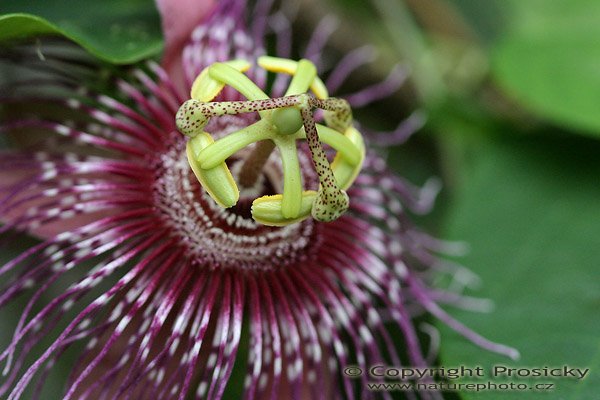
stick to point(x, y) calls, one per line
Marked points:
point(547, 60)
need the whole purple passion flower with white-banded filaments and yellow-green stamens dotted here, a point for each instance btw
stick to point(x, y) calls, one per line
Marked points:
point(170, 252)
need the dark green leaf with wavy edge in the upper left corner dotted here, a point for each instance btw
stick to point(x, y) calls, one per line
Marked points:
point(113, 30)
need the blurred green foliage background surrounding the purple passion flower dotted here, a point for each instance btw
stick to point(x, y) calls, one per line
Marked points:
point(511, 90)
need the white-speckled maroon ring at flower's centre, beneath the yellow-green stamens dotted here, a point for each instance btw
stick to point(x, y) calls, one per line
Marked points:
point(228, 238)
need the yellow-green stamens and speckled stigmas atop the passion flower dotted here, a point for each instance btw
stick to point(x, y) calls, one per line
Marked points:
point(283, 120)
